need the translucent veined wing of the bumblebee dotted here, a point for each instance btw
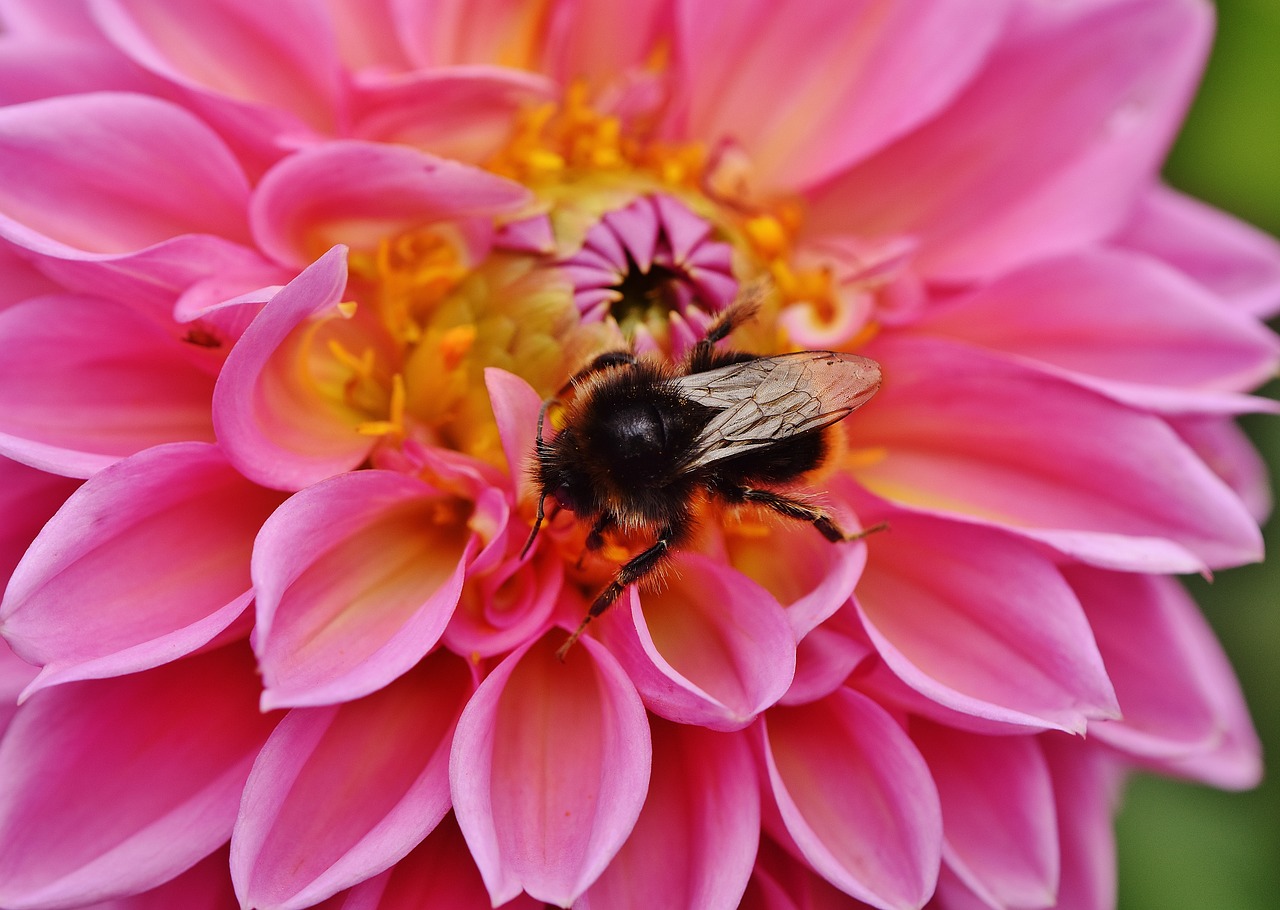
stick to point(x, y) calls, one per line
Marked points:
point(764, 401)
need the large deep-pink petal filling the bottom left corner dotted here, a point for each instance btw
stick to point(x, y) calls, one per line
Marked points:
point(115, 786)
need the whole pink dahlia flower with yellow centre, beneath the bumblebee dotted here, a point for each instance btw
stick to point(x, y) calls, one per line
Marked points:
point(282, 289)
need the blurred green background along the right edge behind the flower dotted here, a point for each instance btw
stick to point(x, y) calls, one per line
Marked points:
point(1185, 847)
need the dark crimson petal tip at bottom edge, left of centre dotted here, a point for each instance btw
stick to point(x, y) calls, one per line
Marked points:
point(440, 874)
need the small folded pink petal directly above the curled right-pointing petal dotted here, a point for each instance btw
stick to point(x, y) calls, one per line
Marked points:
point(464, 113)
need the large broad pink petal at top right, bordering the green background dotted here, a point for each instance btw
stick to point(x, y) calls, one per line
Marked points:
point(1069, 173)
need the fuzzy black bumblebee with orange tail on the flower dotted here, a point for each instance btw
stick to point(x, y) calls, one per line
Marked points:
point(643, 442)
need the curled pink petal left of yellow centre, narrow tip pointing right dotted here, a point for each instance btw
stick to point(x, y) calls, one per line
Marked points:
point(310, 202)
